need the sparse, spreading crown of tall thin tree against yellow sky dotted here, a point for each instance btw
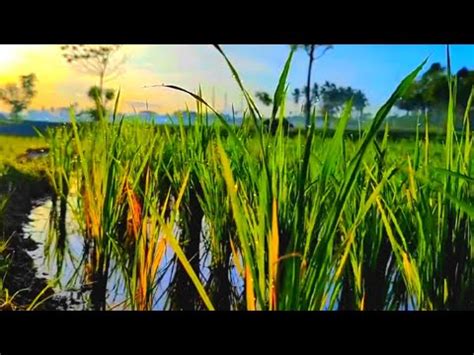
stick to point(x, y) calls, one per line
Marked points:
point(103, 61)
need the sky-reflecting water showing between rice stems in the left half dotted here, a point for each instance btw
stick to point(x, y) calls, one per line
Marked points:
point(61, 261)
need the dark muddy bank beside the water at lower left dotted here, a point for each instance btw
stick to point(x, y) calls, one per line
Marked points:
point(21, 277)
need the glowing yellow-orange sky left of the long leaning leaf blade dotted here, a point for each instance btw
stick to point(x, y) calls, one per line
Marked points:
point(60, 84)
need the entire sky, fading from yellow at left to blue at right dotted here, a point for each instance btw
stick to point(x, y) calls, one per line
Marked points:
point(374, 69)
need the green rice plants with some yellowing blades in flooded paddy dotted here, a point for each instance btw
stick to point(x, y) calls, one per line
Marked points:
point(213, 216)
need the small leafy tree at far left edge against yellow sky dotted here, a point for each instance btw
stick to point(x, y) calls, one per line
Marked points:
point(19, 97)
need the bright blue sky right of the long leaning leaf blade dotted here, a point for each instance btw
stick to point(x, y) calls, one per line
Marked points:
point(375, 69)
